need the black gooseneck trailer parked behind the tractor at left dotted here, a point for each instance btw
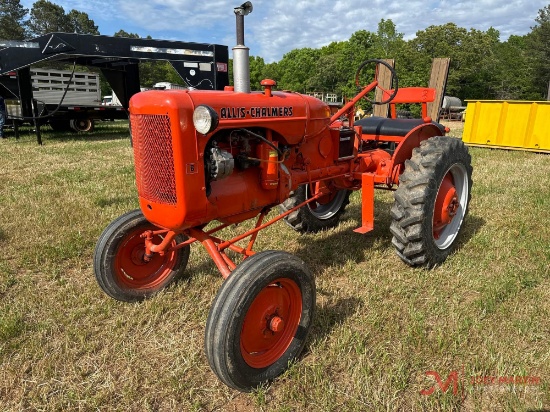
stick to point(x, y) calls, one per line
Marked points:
point(201, 66)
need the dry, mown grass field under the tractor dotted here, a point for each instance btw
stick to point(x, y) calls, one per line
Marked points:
point(379, 327)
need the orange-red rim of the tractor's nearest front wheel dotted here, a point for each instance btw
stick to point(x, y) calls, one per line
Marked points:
point(271, 323)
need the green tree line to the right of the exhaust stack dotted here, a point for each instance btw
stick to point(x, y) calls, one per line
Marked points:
point(482, 66)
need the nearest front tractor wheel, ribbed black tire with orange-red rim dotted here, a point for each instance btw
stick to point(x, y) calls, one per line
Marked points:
point(260, 319)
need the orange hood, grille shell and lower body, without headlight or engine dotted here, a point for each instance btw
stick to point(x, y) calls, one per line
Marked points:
point(169, 152)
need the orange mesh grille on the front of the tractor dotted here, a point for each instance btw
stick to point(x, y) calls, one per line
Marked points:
point(154, 158)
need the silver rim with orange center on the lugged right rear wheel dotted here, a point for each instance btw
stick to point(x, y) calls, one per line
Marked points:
point(450, 206)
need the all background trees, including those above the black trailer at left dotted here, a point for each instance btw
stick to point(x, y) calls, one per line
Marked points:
point(482, 66)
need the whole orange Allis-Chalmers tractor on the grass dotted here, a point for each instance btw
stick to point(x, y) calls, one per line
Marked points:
point(233, 155)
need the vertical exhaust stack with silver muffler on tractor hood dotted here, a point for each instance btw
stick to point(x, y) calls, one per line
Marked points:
point(241, 62)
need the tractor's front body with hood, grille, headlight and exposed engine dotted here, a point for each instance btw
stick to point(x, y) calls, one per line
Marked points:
point(204, 155)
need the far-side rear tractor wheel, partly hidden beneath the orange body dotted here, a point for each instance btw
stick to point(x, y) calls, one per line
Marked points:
point(316, 216)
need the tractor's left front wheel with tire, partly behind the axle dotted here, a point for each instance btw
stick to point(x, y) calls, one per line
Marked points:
point(118, 260)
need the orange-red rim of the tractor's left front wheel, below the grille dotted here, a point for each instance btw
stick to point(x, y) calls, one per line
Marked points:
point(132, 272)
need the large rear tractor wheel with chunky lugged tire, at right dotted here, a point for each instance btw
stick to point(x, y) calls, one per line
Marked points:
point(432, 201)
